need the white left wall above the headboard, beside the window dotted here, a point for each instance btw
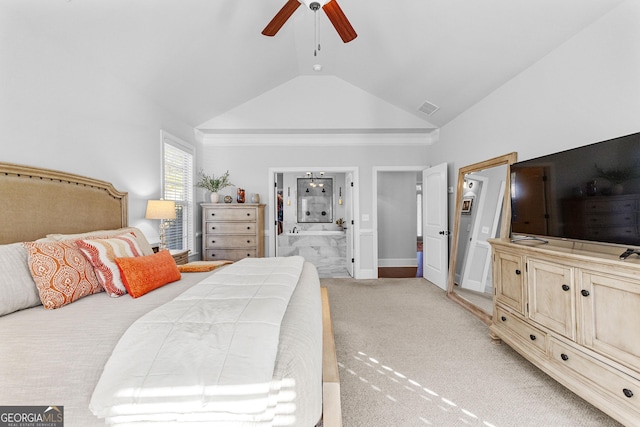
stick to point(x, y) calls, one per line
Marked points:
point(60, 112)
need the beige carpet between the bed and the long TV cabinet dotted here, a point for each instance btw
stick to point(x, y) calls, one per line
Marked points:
point(408, 356)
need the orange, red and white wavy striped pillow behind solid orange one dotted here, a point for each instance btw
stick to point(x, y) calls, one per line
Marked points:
point(101, 253)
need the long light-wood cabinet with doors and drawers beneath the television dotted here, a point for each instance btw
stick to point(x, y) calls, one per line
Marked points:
point(573, 310)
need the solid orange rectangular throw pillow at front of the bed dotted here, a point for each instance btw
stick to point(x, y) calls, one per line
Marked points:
point(143, 274)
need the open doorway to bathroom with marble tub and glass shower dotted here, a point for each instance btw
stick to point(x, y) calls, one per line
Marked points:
point(312, 216)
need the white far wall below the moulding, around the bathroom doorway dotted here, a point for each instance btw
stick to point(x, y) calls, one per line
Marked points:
point(249, 158)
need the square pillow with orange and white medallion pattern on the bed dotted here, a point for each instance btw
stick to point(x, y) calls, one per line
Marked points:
point(62, 274)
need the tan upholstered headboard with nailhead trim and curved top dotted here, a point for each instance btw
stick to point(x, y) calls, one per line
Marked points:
point(35, 202)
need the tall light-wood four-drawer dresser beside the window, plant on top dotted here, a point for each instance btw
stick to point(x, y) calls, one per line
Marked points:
point(232, 231)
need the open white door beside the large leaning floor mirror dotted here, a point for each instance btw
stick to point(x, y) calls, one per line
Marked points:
point(435, 252)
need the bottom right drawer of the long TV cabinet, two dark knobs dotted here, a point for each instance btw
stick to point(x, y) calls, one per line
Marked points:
point(618, 385)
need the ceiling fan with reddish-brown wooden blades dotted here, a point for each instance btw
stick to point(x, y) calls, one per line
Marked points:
point(330, 7)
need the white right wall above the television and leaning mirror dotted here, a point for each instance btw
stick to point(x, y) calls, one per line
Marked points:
point(586, 91)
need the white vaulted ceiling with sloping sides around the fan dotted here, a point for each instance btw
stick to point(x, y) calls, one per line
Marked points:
point(202, 58)
